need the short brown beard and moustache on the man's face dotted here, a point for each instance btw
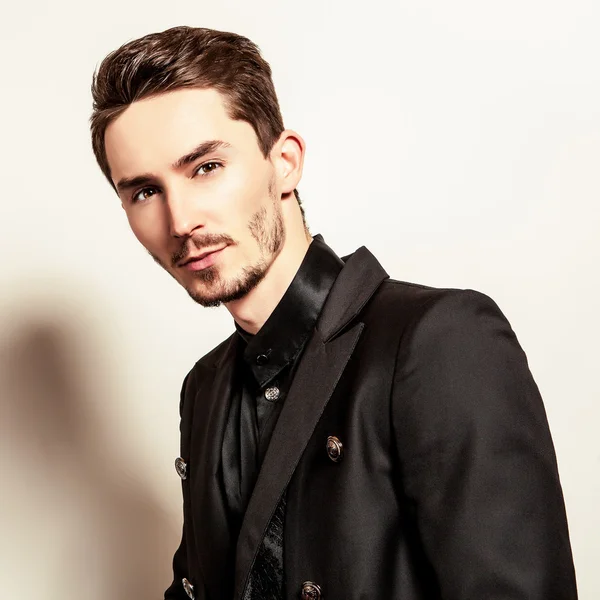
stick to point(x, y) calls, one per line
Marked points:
point(214, 290)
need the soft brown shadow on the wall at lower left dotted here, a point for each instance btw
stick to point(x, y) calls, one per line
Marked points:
point(80, 523)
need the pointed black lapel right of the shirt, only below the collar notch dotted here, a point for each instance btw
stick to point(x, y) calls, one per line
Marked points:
point(318, 373)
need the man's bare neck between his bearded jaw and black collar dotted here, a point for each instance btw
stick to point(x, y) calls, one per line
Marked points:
point(252, 311)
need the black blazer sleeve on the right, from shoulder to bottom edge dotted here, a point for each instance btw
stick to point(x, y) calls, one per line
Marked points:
point(477, 459)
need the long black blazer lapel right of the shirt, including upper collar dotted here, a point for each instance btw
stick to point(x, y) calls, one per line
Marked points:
point(319, 371)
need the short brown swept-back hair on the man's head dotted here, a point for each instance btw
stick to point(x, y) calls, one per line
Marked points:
point(183, 57)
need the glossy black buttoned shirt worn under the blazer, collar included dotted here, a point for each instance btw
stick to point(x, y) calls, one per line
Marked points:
point(266, 364)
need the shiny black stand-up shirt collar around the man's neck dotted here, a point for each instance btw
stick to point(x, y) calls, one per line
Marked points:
point(282, 337)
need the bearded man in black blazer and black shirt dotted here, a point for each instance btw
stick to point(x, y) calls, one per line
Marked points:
point(356, 437)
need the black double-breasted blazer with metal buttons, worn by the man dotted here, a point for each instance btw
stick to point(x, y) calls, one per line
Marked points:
point(448, 484)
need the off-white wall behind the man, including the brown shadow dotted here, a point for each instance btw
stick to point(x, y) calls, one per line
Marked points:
point(459, 141)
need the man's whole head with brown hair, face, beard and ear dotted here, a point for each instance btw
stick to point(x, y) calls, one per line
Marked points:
point(187, 128)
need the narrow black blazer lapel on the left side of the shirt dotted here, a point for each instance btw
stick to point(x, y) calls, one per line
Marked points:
point(211, 528)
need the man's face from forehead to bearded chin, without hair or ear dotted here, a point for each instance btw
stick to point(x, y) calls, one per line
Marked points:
point(197, 191)
